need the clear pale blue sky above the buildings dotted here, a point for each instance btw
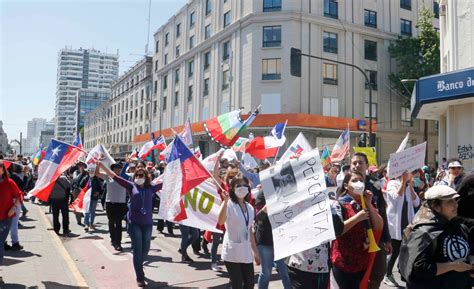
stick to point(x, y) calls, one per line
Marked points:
point(32, 33)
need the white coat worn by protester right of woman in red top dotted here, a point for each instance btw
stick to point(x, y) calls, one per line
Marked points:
point(395, 206)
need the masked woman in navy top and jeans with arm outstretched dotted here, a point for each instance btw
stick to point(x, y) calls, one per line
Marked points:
point(140, 213)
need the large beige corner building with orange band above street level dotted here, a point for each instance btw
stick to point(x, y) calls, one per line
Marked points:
point(215, 56)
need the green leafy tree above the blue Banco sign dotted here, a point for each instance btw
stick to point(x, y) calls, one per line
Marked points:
point(415, 56)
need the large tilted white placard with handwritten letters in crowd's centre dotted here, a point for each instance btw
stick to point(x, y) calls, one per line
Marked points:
point(298, 204)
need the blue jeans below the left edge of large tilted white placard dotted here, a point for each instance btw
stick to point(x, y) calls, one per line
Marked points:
point(266, 265)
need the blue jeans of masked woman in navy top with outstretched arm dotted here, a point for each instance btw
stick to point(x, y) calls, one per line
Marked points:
point(141, 238)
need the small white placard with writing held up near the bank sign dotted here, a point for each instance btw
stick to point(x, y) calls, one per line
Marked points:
point(407, 160)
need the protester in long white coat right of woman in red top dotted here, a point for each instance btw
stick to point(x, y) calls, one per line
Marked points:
point(401, 203)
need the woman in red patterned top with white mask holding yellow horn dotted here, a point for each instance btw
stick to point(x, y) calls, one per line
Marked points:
point(349, 252)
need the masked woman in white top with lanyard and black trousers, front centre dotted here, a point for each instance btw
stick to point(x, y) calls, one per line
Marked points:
point(239, 240)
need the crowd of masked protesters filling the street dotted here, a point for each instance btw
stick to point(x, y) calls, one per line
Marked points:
point(424, 218)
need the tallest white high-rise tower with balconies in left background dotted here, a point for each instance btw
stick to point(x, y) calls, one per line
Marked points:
point(79, 68)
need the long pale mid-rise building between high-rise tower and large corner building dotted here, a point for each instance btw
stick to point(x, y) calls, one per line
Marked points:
point(128, 112)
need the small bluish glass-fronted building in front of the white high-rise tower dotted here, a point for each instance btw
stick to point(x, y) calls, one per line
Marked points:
point(88, 99)
